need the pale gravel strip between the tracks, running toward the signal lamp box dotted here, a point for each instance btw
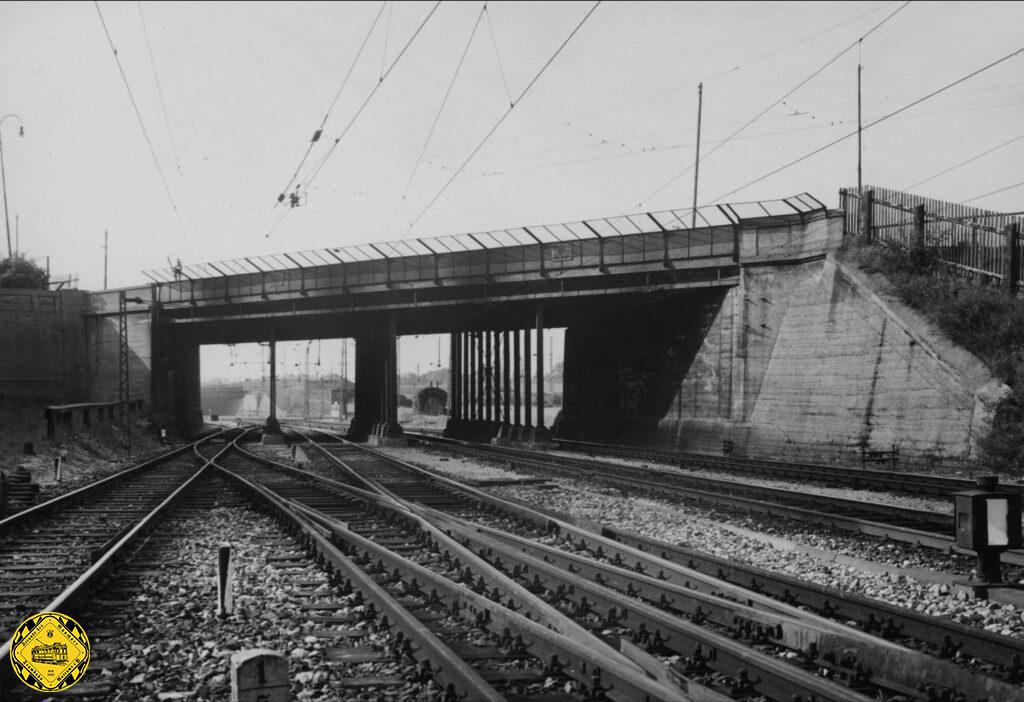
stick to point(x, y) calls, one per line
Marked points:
point(754, 540)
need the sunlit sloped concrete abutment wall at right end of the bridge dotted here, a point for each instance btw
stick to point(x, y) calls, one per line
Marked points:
point(818, 362)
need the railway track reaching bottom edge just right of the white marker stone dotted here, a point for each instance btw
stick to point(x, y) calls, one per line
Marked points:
point(445, 588)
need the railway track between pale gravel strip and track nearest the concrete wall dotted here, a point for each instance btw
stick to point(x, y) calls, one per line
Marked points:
point(913, 526)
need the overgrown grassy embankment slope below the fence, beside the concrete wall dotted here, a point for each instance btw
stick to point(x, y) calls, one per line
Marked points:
point(982, 319)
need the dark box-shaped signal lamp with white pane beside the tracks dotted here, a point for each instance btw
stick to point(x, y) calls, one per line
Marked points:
point(988, 518)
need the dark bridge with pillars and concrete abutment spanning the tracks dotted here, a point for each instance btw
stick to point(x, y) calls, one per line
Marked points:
point(733, 326)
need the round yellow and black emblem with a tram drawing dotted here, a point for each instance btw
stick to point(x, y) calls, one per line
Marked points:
point(50, 652)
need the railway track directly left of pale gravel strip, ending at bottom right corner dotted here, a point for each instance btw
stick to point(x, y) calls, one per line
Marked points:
point(890, 665)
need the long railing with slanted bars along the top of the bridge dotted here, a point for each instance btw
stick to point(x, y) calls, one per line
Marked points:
point(660, 238)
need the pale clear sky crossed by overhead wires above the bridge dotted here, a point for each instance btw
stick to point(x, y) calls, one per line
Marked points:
point(225, 99)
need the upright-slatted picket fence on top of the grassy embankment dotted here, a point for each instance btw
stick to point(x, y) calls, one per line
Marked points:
point(968, 240)
